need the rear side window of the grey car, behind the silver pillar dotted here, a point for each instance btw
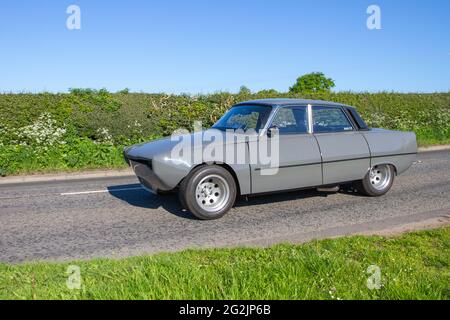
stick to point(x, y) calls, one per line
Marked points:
point(330, 119)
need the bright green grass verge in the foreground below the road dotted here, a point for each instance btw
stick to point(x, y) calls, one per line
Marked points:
point(413, 266)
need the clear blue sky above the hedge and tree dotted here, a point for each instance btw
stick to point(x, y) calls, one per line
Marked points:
point(204, 46)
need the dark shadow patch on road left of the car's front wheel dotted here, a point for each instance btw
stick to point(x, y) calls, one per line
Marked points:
point(144, 199)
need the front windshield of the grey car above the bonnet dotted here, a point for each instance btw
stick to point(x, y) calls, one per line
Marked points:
point(244, 117)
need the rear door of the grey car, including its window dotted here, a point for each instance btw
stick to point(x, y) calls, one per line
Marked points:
point(345, 153)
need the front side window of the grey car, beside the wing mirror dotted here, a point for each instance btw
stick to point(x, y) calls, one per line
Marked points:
point(291, 120)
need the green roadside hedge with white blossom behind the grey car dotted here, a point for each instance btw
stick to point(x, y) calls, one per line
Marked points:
point(87, 129)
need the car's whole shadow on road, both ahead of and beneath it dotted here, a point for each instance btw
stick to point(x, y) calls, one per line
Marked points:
point(143, 199)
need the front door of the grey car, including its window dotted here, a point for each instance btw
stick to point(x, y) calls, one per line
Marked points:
point(299, 156)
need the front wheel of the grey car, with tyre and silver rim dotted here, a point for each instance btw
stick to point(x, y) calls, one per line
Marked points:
point(208, 192)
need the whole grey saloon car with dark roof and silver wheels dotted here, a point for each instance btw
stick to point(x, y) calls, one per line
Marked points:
point(315, 144)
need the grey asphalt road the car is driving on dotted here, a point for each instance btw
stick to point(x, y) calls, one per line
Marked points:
point(113, 217)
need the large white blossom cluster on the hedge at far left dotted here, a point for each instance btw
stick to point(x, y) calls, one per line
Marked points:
point(44, 132)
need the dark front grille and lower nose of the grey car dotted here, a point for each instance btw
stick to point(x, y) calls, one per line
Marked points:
point(144, 171)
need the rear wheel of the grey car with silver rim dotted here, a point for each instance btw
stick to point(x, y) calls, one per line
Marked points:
point(378, 181)
